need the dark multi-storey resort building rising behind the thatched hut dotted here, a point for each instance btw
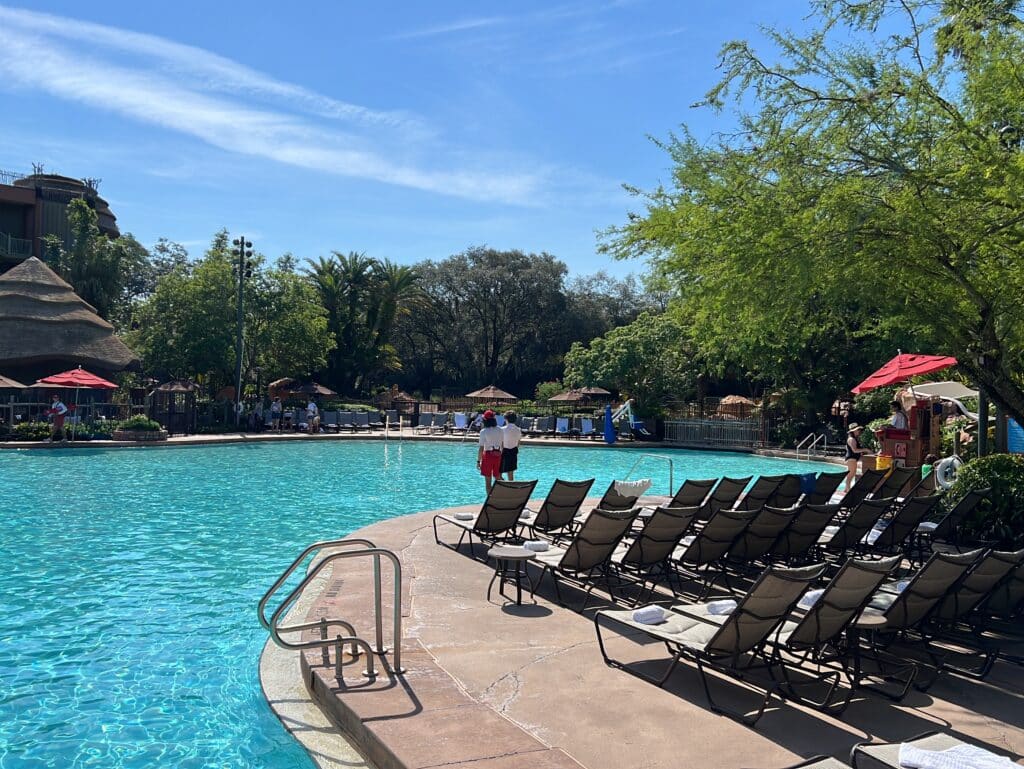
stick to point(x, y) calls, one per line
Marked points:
point(35, 206)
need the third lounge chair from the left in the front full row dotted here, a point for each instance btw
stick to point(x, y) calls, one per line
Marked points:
point(906, 606)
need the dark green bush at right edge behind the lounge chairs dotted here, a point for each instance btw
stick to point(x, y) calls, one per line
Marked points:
point(1001, 518)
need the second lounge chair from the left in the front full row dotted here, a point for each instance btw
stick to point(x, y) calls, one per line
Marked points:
point(819, 626)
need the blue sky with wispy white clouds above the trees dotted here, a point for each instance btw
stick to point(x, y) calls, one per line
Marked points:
point(405, 131)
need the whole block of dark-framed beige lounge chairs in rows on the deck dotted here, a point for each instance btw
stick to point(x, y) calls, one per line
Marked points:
point(817, 578)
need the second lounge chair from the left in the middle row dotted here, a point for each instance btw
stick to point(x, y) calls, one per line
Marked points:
point(647, 557)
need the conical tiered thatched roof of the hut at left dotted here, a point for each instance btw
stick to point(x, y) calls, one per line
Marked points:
point(46, 327)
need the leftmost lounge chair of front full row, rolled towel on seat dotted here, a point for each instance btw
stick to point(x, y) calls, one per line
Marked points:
point(730, 645)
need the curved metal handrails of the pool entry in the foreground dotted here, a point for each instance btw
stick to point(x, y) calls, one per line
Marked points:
point(347, 549)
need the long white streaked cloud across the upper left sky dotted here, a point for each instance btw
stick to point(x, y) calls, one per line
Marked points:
point(37, 54)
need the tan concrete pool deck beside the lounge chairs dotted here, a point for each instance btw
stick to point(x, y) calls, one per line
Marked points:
point(490, 686)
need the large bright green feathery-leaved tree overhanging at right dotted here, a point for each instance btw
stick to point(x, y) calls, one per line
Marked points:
point(875, 183)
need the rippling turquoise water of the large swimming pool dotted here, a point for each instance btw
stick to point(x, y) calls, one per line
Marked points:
point(131, 580)
